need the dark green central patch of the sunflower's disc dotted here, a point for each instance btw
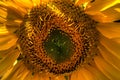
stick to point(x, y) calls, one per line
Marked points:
point(59, 46)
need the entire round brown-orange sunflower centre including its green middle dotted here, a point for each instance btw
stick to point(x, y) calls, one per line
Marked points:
point(57, 37)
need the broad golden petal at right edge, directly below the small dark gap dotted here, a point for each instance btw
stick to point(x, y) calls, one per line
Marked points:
point(109, 30)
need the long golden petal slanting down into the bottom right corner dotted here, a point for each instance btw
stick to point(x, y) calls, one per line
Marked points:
point(107, 69)
